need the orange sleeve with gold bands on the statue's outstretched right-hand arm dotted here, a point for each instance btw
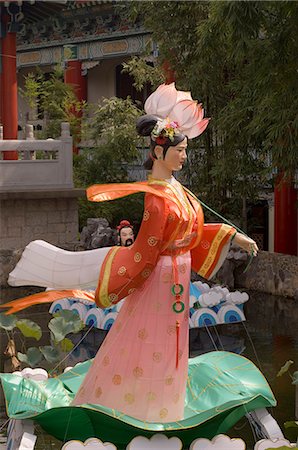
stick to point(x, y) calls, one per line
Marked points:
point(209, 255)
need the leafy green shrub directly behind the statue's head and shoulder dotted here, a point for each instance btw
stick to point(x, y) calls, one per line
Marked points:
point(115, 144)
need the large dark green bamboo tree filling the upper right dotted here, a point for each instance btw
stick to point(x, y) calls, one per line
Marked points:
point(238, 58)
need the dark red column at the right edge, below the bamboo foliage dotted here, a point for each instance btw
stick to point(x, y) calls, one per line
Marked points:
point(285, 217)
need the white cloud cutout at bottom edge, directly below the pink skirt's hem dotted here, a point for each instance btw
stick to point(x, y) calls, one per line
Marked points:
point(157, 441)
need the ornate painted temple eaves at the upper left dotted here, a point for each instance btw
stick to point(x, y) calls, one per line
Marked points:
point(47, 30)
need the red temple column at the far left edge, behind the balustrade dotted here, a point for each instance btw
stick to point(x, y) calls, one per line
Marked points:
point(9, 91)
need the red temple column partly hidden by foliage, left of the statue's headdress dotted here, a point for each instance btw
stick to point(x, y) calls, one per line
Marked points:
point(73, 76)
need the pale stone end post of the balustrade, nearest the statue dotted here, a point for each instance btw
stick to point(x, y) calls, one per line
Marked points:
point(65, 156)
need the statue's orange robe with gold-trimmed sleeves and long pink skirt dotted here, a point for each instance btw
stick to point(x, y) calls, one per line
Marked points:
point(141, 369)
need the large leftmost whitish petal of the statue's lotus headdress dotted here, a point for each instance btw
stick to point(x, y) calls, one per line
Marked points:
point(161, 101)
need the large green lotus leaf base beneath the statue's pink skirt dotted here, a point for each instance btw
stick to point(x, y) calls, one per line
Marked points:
point(222, 387)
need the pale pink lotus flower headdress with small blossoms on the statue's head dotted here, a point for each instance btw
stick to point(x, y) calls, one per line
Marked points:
point(177, 111)
